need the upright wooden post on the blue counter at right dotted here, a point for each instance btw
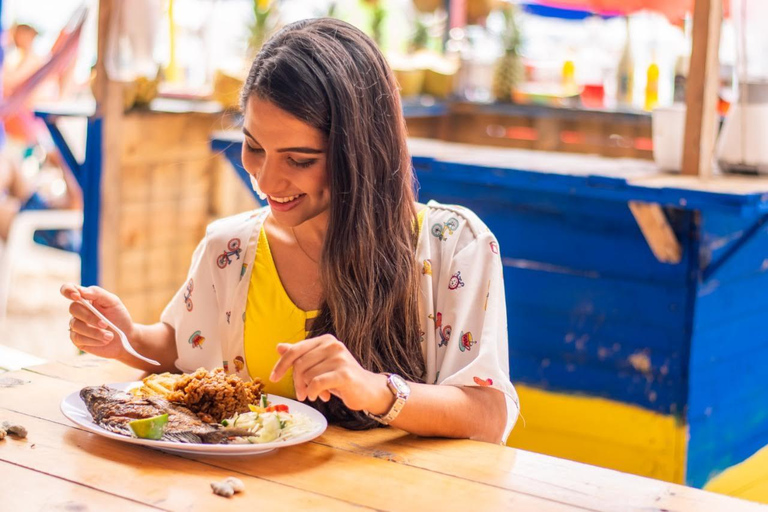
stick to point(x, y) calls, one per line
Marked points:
point(701, 89)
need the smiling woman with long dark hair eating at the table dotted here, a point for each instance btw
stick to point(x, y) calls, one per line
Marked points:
point(344, 279)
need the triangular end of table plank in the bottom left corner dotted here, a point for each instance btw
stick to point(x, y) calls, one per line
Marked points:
point(32, 490)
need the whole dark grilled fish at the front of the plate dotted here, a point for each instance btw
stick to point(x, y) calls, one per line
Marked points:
point(113, 410)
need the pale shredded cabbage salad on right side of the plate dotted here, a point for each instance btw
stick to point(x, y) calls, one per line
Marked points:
point(268, 423)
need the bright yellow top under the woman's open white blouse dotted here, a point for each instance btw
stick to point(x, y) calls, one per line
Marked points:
point(271, 317)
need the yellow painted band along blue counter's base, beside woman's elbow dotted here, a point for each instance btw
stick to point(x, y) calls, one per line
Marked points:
point(601, 432)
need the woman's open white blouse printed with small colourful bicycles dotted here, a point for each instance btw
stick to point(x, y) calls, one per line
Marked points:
point(462, 308)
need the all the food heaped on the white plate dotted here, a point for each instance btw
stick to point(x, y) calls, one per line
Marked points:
point(202, 407)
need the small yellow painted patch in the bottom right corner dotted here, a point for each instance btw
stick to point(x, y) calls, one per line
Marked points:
point(748, 480)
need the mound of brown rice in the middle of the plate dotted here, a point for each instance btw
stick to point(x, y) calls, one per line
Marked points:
point(215, 395)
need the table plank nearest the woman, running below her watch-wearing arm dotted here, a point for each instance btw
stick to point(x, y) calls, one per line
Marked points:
point(531, 473)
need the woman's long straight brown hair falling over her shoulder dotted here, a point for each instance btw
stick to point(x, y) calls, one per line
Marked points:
point(330, 75)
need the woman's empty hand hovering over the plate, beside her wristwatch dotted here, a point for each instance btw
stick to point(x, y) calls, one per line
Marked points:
point(323, 367)
